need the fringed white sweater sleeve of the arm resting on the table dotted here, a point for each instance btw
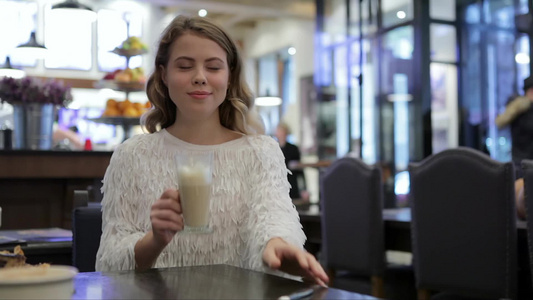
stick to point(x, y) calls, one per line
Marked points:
point(272, 213)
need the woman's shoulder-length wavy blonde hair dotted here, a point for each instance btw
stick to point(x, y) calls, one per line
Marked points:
point(236, 112)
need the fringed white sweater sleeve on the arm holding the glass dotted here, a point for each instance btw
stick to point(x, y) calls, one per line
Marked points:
point(120, 227)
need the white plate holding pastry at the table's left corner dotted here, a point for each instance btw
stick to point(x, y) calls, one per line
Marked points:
point(56, 282)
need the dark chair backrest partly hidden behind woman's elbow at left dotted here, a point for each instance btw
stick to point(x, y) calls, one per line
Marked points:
point(86, 232)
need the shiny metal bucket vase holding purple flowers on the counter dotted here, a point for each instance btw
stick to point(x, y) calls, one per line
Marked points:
point(33, 128)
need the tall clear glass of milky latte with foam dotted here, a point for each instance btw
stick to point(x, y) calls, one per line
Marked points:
point(195, 175)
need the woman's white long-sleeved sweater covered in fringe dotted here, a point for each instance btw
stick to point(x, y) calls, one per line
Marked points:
point(250, 202)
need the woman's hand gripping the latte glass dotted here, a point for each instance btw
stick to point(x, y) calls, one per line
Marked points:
point(166, 217)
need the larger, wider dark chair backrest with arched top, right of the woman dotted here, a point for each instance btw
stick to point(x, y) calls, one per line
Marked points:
point(464, 224)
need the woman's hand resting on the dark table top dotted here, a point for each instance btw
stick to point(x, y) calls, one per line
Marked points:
point(280, 255)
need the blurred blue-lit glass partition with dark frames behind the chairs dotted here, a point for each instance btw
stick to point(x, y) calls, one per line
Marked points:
point(416, 101)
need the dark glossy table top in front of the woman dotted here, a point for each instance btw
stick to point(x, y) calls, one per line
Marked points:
point(200, 282)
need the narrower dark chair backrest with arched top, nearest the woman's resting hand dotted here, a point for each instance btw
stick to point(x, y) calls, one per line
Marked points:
point(352, 222)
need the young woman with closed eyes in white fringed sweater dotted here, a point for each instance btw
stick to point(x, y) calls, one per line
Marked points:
point(201, 103)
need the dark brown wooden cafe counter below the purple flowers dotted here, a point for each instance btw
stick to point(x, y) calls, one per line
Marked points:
point(37, 187)
